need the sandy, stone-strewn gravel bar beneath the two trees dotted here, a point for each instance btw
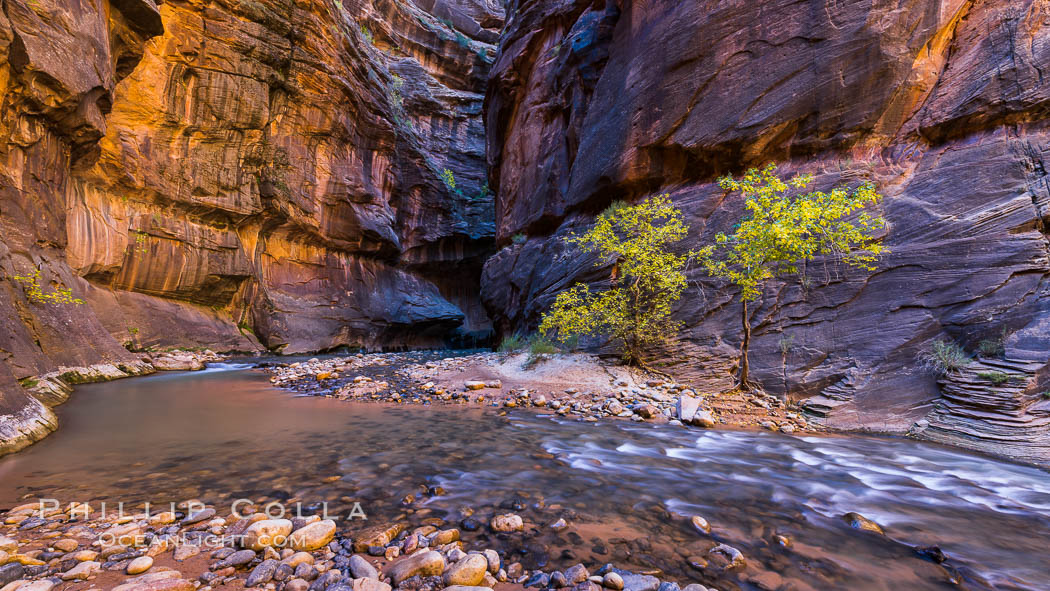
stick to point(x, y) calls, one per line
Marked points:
point(579, 386)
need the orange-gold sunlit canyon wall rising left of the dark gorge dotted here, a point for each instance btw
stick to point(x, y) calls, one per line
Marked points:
point(238, 175)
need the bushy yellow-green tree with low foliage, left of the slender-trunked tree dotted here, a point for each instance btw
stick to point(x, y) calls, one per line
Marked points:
point(647, 280)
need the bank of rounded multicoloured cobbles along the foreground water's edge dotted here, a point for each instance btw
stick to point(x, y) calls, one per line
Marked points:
point(48, 546)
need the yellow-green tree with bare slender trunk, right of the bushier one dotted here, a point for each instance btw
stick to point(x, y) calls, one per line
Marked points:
point(785, 226)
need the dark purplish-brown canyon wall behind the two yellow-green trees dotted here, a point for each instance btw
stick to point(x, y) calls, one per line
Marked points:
point(943, 104)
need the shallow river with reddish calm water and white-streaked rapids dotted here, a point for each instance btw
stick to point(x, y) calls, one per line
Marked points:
point(626, 490)
